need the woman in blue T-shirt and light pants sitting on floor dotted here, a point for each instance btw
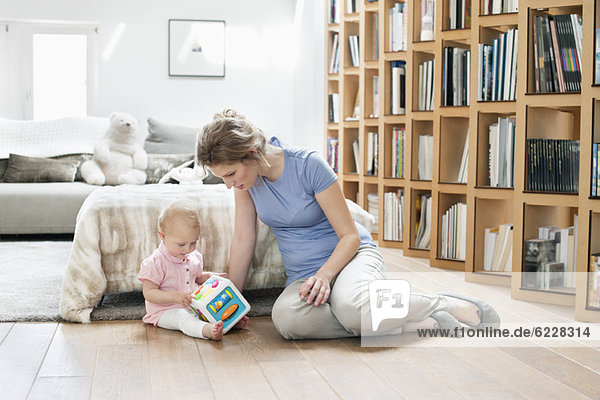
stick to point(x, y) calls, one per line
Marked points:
point(329, 258)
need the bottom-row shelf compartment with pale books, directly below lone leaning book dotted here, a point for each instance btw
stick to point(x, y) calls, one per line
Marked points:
point(452, 239)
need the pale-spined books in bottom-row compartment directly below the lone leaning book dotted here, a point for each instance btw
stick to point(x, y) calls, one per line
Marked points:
point(454, 232)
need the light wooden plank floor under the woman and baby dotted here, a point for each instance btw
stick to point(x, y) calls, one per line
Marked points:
point(127, 359)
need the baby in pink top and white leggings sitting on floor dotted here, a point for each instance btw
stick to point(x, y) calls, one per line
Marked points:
point(174, 271)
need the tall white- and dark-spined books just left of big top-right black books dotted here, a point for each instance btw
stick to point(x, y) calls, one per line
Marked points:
point(498, 68)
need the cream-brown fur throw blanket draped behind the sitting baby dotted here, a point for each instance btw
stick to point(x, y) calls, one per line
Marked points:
point(117, 229)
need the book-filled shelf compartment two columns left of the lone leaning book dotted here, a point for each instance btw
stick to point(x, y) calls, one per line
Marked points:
point(394, 146)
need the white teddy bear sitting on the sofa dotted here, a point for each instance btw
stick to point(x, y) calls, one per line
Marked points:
point(119, 158)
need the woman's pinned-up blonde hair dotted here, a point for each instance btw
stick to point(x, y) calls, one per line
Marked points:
point(229, 139)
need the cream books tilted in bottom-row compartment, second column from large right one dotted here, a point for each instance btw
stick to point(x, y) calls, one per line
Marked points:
point(497, 250)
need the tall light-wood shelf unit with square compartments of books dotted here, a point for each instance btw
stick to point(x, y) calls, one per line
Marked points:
point(486, 206)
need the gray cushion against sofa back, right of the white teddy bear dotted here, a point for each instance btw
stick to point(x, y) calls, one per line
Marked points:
point(166, 138)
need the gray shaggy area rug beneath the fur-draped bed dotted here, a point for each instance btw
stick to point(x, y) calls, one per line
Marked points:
point(31, 277)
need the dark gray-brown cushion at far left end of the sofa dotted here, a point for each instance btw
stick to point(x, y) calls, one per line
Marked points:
point(21, 169)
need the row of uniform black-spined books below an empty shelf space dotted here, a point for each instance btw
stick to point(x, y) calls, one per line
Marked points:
point(553, 165)
